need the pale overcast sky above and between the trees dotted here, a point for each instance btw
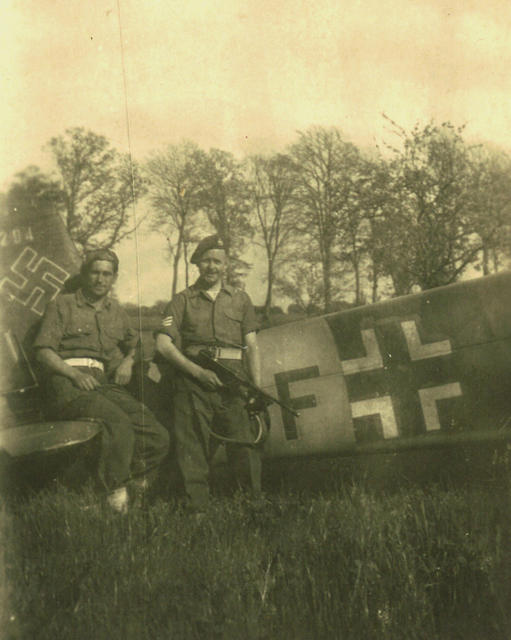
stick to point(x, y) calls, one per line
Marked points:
point(244, 76)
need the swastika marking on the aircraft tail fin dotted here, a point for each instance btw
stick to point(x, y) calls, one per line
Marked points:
point(33, 281)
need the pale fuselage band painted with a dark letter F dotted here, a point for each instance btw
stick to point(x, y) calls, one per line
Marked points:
point(300, 364)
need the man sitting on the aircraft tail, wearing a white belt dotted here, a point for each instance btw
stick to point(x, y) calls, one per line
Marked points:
point(88, 347)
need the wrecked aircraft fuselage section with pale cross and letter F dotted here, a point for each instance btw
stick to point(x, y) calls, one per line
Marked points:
point(422, 365)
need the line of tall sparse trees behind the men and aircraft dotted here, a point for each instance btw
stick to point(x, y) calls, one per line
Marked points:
point(335, 223)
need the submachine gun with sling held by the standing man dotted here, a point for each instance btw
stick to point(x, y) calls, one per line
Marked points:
point(257, 401)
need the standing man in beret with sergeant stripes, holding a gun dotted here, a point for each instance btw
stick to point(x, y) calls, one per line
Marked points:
point(213, 315)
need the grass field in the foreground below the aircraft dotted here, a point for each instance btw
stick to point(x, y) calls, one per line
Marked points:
point(319, 559)
